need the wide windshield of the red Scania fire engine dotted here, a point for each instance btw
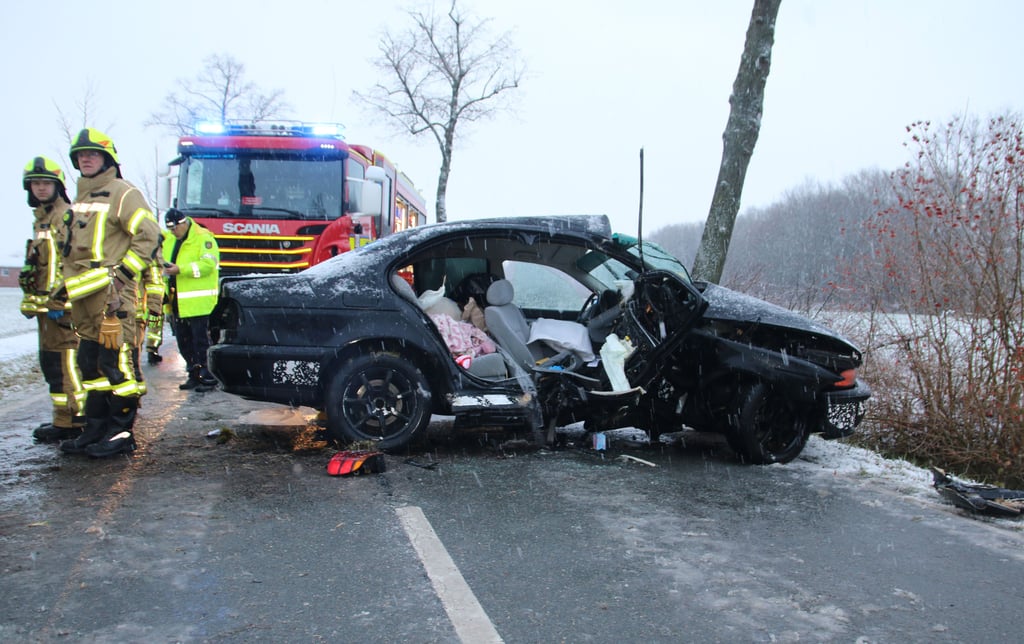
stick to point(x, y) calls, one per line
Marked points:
point(263, 187)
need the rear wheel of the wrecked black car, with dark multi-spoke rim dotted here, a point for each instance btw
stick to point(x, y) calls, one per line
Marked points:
point(378, 398)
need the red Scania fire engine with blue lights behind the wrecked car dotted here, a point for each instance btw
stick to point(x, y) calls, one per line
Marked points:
point(282, 197)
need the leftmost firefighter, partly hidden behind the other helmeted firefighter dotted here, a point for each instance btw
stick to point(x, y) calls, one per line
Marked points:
point(44, 181)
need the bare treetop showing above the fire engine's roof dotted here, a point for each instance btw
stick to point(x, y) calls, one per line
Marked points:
point(220, 93)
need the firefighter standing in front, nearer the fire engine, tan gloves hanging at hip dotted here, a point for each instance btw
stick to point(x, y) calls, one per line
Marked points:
point(114, 239)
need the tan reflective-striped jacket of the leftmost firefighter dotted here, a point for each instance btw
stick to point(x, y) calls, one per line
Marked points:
point(42, 255)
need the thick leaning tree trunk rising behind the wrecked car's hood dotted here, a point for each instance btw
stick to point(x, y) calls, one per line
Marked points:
point(741, 136)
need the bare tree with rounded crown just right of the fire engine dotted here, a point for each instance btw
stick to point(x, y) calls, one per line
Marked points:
point(441, 73)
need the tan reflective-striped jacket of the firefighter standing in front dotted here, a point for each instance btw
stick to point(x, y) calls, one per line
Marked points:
point(112, 229)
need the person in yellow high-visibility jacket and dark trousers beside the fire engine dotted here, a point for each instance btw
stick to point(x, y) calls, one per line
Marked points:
point(193, 271)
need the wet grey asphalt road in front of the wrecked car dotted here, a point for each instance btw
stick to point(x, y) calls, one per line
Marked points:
point(198, 540)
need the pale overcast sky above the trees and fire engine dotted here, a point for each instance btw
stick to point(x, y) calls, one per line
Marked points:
point(605, 79)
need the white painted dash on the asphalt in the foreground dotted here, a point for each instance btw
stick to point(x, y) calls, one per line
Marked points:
point(472, 624)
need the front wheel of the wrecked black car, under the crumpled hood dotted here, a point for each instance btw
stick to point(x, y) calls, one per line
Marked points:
point(767, 428)
